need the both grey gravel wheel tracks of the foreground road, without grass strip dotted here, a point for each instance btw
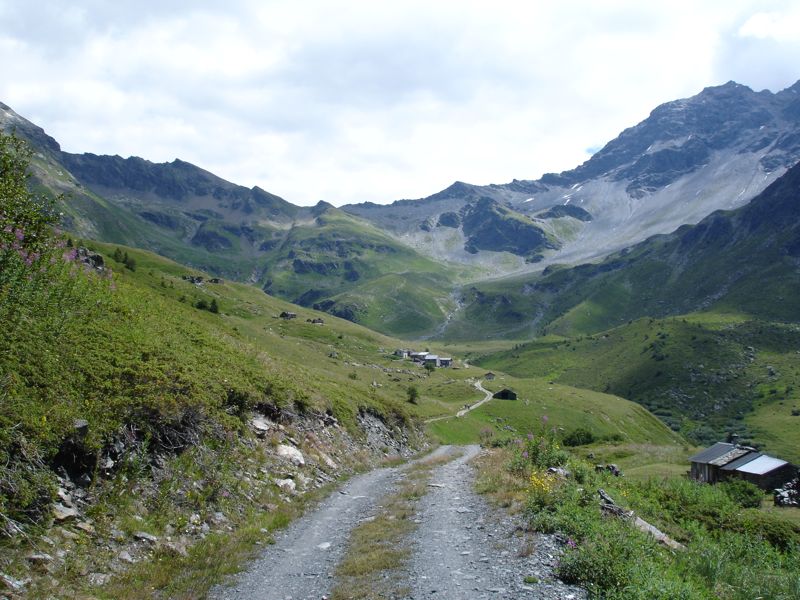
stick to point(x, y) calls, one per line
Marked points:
point(463, 548)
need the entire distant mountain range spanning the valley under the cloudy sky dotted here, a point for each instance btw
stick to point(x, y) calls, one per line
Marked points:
point(433, 266)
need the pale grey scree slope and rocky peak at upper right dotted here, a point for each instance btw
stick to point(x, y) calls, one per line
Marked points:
point(716, 150)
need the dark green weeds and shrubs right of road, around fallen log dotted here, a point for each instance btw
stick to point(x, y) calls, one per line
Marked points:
point(733, 549)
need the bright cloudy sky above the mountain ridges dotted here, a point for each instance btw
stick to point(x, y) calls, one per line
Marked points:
point(351, 100)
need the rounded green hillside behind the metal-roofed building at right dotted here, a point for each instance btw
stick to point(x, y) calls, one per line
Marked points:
point(702, 374)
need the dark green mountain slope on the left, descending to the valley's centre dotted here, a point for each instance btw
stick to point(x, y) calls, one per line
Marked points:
point(316, 256)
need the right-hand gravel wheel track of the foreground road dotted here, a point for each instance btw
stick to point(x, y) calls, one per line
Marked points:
point(465, 548)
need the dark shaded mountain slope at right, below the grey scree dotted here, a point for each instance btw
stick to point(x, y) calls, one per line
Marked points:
point(746, 260)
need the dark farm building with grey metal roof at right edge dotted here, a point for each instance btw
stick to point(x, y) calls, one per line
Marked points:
point(730, 461)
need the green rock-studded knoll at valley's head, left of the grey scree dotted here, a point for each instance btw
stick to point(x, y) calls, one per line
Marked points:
point(350, 269)
